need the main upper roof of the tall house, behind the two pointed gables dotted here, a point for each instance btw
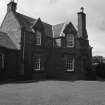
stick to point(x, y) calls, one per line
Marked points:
point(53, 31)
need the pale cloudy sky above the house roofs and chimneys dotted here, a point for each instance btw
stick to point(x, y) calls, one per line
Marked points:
point(59, 11)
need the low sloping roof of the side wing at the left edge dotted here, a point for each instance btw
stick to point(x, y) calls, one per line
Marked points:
point(6, 42)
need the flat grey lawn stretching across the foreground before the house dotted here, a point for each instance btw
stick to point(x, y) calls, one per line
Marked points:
point(53, 93)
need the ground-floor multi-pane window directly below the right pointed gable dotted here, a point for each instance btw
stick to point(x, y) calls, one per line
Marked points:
point(69, 64)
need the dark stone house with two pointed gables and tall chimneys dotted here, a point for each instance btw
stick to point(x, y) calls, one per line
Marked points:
point(33, 49)
